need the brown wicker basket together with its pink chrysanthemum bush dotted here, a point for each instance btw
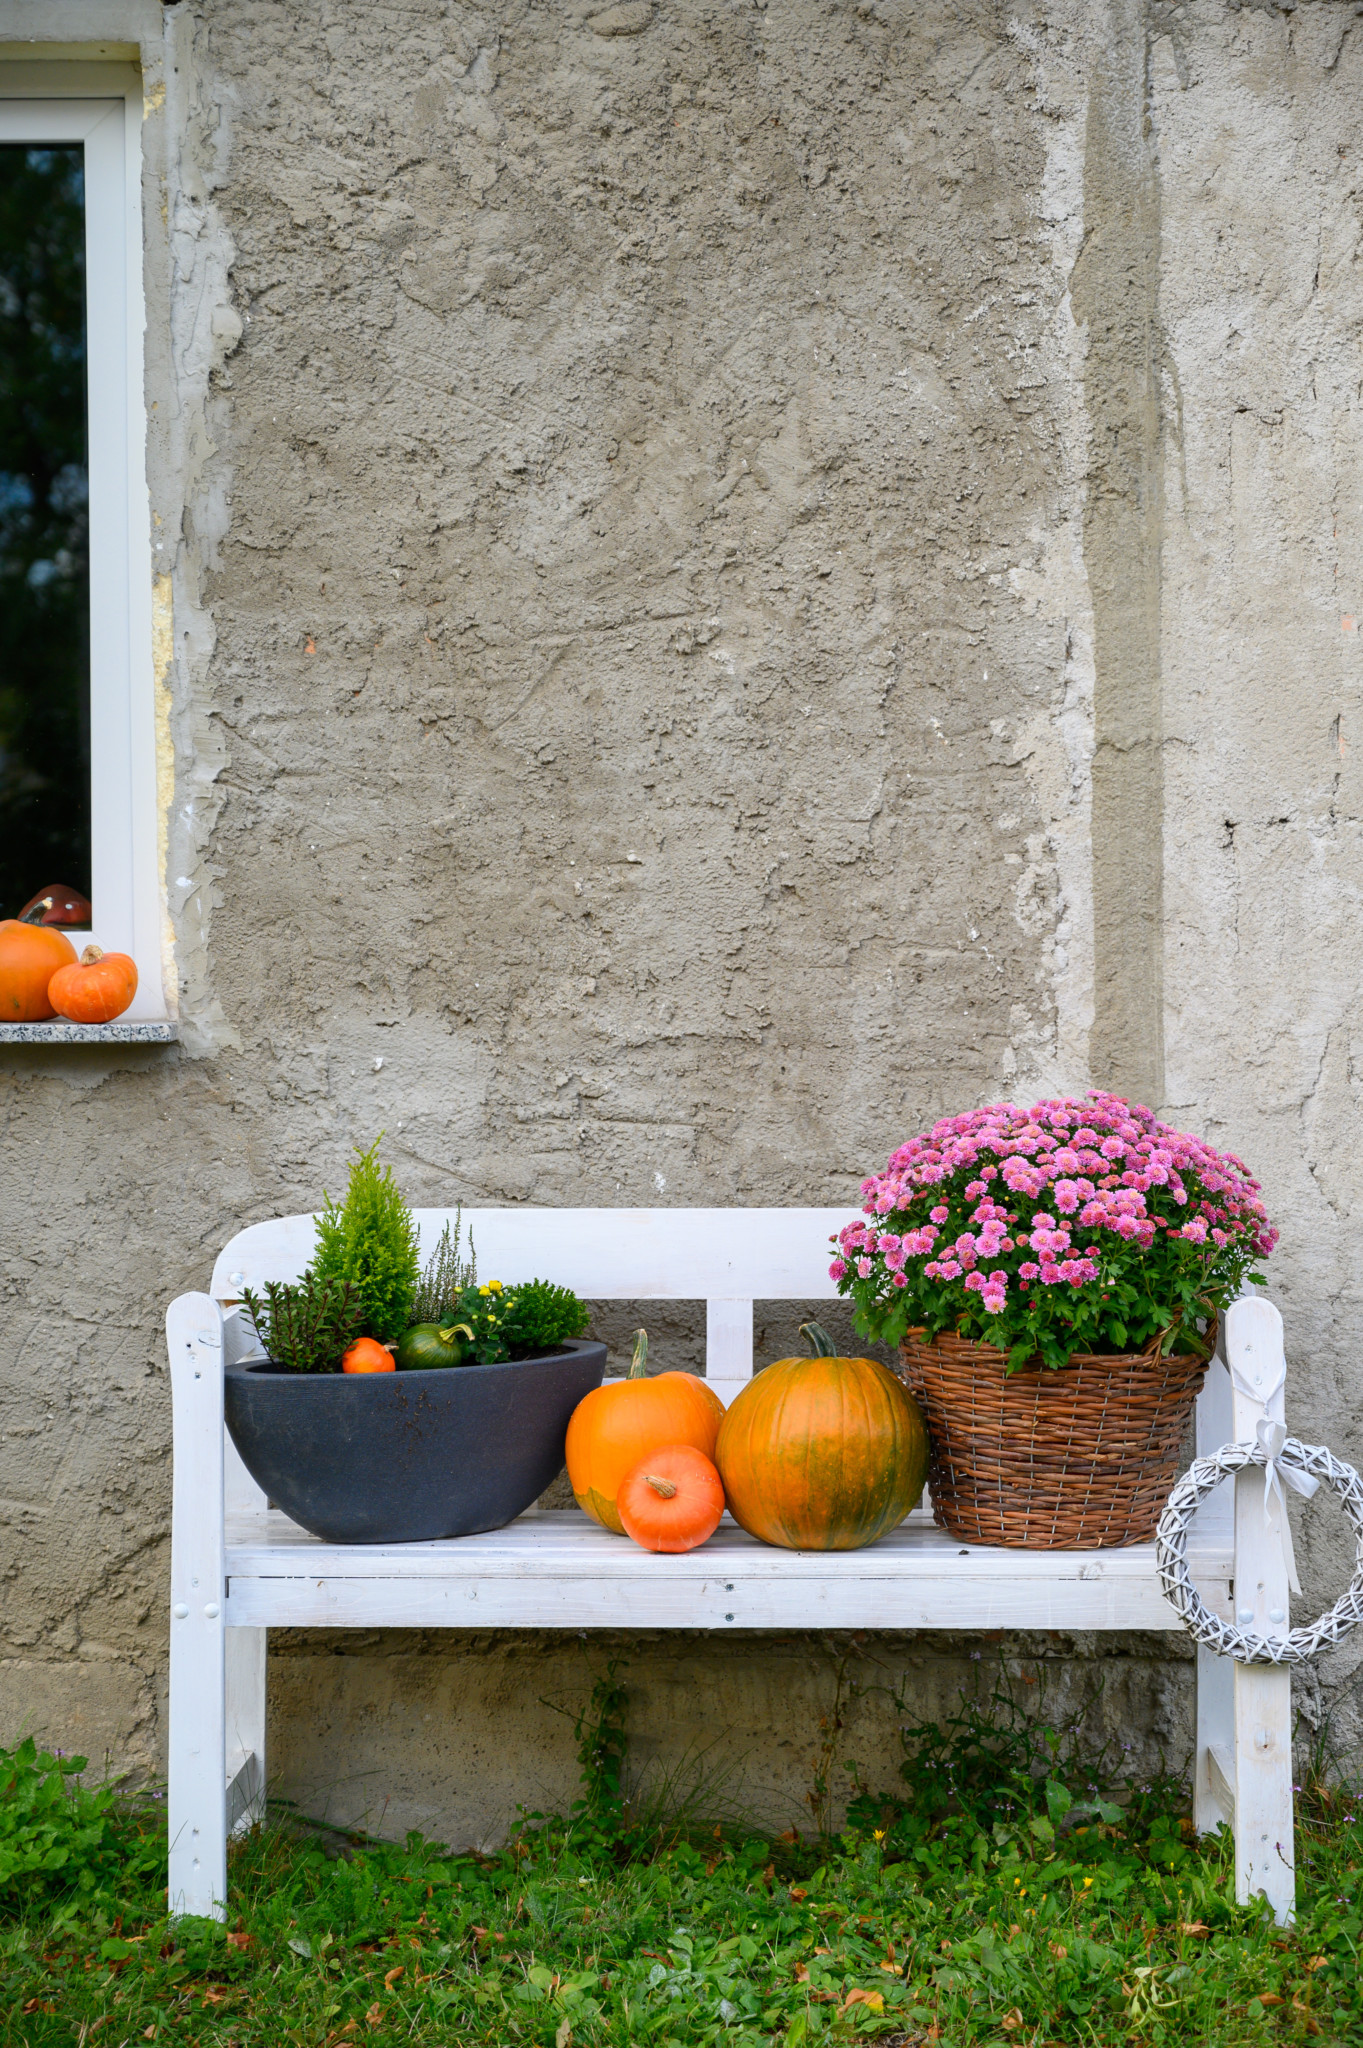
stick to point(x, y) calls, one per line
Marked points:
point(1053, 1279)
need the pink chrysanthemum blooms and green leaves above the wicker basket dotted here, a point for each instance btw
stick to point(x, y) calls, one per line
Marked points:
point(1078, 1226)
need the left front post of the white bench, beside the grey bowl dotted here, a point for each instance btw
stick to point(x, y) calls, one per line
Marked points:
point(197, 1785)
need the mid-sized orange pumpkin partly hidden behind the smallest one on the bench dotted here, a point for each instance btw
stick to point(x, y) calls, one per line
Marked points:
point(615, 1426)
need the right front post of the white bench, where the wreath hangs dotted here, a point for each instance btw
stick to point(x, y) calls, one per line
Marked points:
point(1262, 1754)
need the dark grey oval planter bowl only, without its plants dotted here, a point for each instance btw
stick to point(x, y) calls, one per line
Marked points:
point(406, 1457)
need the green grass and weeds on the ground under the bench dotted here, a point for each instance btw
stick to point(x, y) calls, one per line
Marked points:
point(998, 1900)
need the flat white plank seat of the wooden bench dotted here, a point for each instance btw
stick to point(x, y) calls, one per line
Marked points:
point(564, 1572)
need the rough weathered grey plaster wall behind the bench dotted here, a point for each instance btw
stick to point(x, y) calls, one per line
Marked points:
point(728, 577)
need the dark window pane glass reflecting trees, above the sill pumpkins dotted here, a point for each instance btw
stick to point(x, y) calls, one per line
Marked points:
point(44, 527)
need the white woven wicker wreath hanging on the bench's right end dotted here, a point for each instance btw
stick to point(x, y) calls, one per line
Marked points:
point(1172, 1555)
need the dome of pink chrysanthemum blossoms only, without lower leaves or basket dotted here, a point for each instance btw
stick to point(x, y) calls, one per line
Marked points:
point(1049, 1189)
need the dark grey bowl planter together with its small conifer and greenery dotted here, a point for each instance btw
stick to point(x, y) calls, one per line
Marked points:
point(371, 1426)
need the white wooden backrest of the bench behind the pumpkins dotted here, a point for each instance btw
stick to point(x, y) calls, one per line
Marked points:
point(730, 1258)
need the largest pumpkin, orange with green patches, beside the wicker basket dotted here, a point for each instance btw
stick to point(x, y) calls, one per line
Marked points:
point(822, 1453)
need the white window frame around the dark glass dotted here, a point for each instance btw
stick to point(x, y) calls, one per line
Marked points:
point(126, 886)
